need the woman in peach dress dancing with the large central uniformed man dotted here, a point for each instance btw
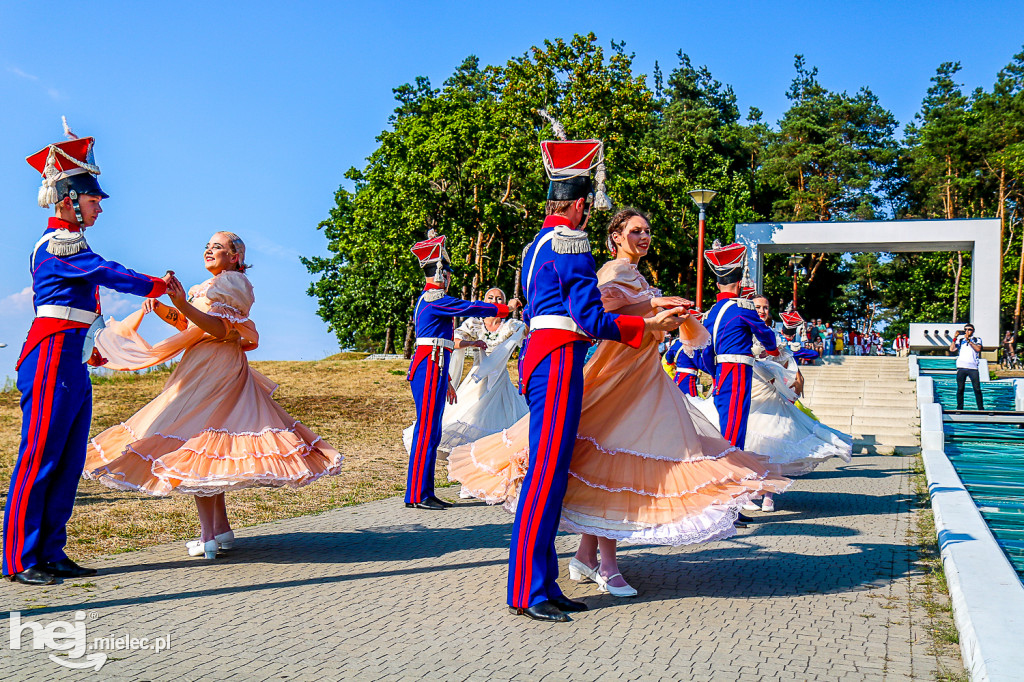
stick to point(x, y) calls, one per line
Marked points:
point(648, 466)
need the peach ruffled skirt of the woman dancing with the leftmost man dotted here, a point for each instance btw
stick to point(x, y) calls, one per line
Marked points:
point(215, 429)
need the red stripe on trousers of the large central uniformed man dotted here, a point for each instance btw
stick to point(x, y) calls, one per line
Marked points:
point(551, 438)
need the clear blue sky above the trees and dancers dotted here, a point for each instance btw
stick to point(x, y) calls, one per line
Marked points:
point(245, 117)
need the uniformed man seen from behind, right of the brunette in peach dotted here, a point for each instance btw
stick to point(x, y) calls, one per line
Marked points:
point(734, 325)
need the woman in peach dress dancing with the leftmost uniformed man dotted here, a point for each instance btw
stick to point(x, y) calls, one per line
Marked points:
point(216, 428)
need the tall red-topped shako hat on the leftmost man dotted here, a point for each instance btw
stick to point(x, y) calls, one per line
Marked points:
point(68, 169)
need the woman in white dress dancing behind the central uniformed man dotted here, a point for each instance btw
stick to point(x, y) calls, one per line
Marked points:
point(486, 401)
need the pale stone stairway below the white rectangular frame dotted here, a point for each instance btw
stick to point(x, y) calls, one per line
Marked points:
point(870, 398)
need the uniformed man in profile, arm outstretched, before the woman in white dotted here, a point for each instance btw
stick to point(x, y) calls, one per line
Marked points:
point(429, 373)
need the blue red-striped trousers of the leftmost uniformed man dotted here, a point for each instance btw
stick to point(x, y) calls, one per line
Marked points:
point(57, 410)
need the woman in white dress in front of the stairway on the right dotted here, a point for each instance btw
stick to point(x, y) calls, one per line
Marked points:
point(778, 429)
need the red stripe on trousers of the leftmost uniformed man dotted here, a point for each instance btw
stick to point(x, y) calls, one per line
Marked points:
point(42, 403)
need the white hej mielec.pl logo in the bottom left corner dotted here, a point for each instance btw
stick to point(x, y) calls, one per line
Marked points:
point(73, 643)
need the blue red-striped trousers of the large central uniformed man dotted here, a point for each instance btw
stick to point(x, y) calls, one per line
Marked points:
point(556, 397)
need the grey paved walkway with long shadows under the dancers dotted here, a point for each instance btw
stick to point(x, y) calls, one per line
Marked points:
point(823, 589)
